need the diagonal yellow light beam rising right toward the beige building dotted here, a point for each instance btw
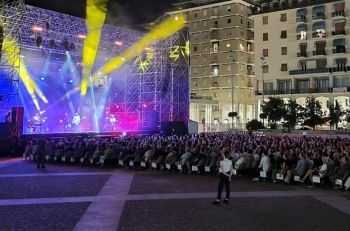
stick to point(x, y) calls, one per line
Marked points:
point(170, 26)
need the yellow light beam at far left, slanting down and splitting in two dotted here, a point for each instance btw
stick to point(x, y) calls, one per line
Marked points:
point(12, 51)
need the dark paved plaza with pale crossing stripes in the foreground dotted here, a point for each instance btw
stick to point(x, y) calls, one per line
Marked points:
point(92, 198)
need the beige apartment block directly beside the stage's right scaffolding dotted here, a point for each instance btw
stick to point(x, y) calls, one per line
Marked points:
point(221, 62)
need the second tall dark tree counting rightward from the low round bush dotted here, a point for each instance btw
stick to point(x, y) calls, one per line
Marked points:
point(293, 114)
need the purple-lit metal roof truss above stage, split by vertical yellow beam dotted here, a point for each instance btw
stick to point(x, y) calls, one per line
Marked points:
point(54, 28)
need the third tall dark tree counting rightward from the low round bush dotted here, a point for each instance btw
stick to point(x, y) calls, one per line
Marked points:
point(313, 113)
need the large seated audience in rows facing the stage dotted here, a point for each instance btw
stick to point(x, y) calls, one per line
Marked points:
point(313, 160)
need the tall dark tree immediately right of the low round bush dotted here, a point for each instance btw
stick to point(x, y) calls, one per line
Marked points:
point(274, 109)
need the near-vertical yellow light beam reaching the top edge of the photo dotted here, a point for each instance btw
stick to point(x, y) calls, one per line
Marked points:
point(96, 11)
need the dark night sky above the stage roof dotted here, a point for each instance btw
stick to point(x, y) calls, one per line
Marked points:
point(125, 12)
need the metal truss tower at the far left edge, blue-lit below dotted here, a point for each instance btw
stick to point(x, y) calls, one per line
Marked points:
point(11, 21)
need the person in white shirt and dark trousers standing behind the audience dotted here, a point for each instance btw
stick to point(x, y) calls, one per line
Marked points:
point(225, 174)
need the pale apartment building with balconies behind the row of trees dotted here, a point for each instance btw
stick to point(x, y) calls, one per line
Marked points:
point(302, 49)
